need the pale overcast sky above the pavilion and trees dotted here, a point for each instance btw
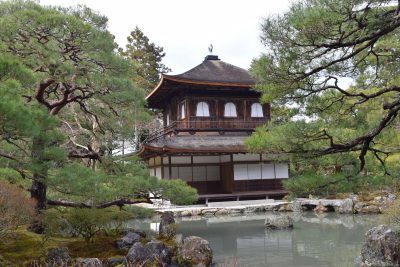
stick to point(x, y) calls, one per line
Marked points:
point(186, 28)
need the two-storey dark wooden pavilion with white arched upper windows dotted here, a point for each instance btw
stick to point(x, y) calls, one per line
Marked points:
point(208, 112)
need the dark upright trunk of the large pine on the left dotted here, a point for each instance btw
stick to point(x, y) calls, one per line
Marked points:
point(39, 187)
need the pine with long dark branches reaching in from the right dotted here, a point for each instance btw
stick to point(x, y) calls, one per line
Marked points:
point(331, 71)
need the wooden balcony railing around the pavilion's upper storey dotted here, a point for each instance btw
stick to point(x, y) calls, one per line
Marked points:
point(207, 124)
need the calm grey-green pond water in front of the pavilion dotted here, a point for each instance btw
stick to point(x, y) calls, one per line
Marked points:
point(325, 240)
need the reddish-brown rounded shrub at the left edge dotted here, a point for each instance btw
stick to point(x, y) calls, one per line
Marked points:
point(16, 208)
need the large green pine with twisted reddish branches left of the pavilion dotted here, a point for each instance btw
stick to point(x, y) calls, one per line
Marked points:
point(65, 94)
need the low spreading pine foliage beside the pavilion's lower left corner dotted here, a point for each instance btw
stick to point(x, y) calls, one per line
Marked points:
point(114, 180)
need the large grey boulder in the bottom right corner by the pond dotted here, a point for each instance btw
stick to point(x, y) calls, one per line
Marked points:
point(381, 247)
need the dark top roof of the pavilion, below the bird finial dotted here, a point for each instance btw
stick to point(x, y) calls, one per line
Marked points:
point(214, 70)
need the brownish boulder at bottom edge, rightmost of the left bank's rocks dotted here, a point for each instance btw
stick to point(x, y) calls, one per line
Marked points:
point(195, 251)
